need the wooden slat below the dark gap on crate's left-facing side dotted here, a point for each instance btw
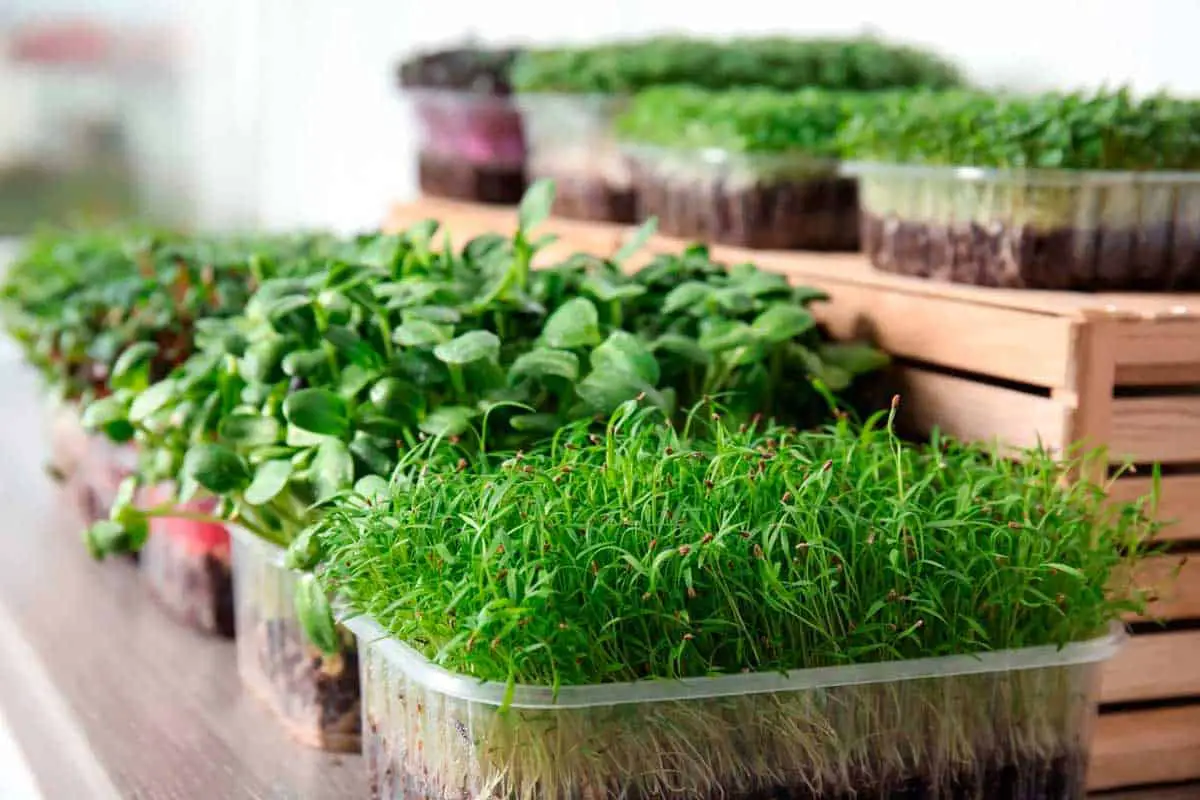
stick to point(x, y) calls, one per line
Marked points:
point(968, 410)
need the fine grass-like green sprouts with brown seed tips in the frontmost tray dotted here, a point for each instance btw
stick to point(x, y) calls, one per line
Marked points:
point(643, 552)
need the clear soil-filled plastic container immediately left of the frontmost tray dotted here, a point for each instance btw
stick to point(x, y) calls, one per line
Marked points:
point(316, 696)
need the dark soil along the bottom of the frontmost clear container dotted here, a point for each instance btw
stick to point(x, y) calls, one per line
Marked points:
point(1063, 778)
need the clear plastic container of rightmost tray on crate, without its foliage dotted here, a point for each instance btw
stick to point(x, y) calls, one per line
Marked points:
point(1034, 230)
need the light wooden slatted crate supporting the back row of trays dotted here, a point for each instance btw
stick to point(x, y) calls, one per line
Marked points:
point(1024, 368)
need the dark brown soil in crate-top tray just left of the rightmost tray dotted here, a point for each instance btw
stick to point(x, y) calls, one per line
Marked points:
point(820, 215)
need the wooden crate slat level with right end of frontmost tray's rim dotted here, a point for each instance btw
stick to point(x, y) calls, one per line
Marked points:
point(1154, 666)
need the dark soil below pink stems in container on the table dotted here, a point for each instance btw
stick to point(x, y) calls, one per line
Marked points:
point(196, 587)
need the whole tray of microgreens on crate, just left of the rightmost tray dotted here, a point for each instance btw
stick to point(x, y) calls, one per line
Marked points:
point(752, 169)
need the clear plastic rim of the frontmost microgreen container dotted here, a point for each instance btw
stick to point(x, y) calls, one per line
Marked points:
point(520, 696)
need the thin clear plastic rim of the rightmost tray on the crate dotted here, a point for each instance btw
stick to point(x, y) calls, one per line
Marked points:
point(869, 170)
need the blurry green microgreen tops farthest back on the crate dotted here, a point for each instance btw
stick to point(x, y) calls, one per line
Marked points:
point(785, 64)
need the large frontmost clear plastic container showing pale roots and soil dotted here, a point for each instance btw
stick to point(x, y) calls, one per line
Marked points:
point(1013, 725)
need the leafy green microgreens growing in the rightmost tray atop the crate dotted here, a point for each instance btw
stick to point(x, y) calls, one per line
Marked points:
point(1072, 131)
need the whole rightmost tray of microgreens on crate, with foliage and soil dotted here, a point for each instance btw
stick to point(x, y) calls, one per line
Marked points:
point(1114, 206)
